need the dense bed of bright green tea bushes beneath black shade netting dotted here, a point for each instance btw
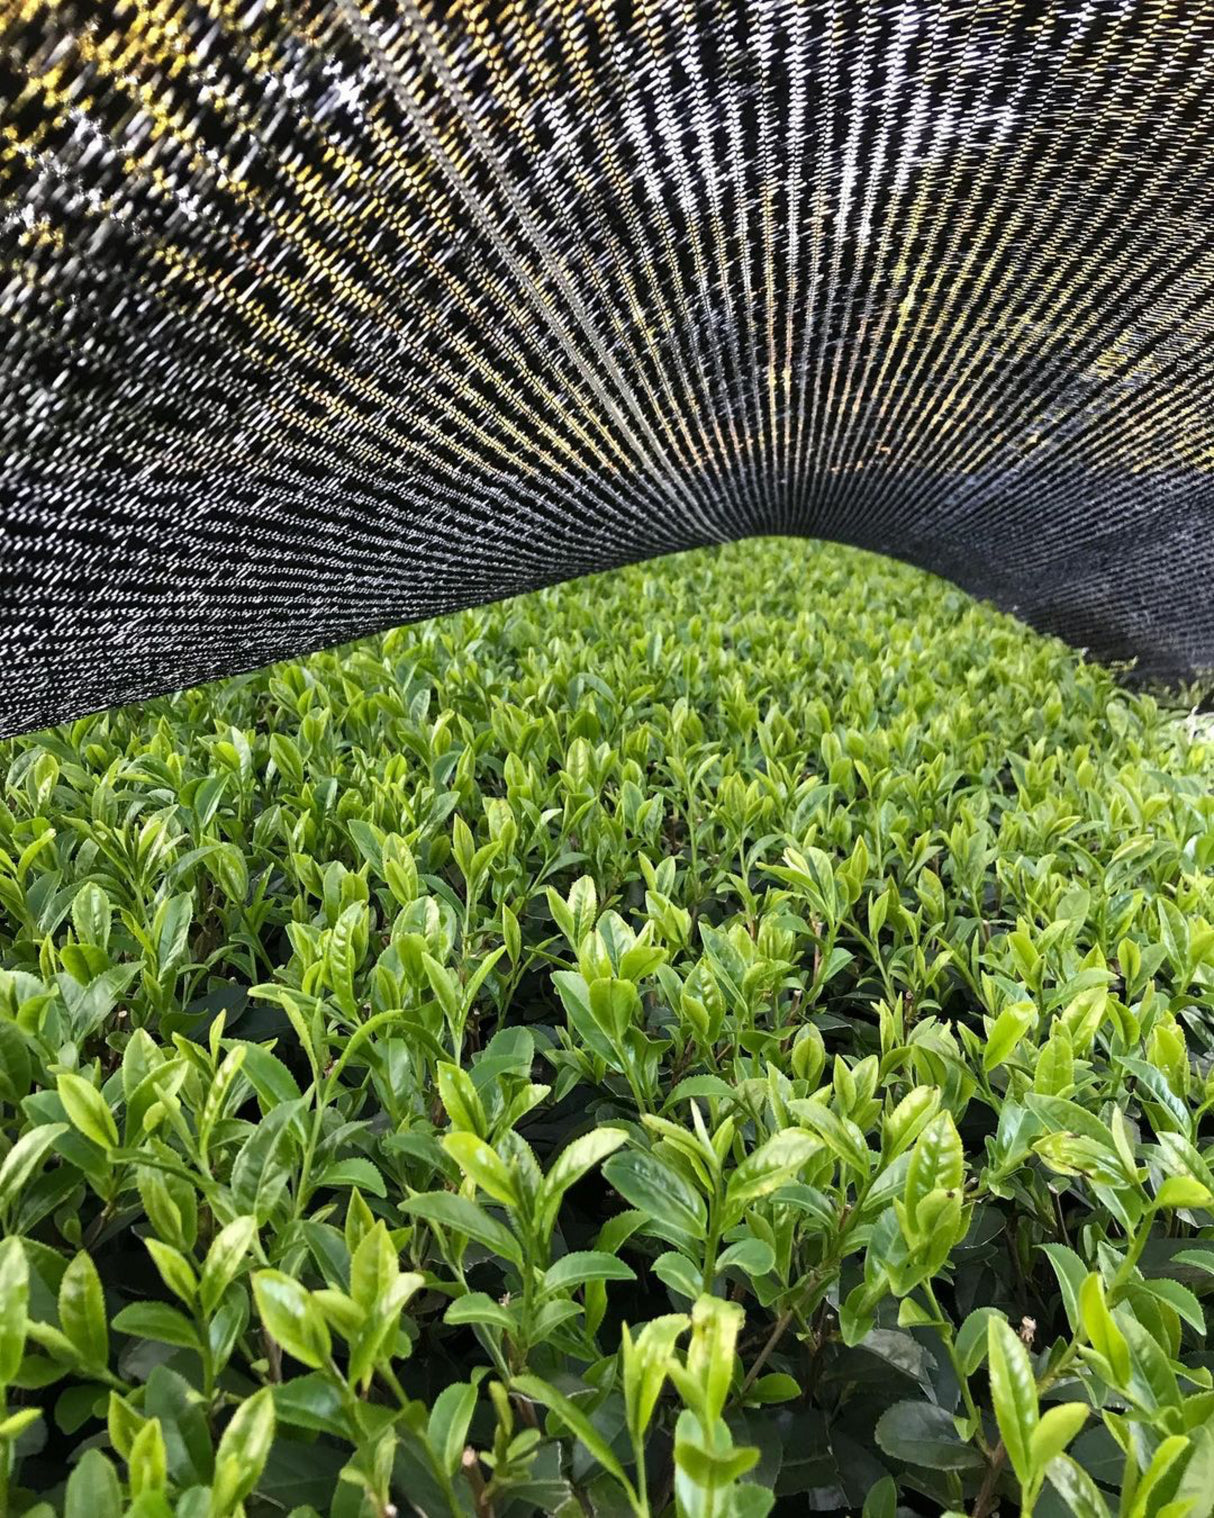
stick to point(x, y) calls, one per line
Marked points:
point(723, 1035)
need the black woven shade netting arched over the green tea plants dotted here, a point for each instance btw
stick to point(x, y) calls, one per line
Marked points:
point(322, 318)
